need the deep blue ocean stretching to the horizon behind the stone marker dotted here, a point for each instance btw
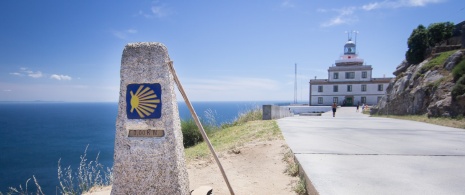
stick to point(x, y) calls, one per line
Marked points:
point(35, 135)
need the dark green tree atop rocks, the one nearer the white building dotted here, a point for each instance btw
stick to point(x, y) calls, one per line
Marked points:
point(417, 45)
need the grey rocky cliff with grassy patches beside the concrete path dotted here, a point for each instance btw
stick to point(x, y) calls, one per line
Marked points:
point(425, 88)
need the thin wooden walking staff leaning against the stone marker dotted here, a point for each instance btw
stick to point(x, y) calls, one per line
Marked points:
point(197, 121)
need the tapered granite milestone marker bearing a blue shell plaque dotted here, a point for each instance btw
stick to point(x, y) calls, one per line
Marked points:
point(149, 152)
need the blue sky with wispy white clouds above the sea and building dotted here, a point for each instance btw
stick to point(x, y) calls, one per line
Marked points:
point(222, 50)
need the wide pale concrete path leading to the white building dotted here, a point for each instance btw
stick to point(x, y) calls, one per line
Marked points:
point(353, 153)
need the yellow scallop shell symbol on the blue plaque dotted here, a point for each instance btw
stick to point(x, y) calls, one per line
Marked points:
point(144, 101)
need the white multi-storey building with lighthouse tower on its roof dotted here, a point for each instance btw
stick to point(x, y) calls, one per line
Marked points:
point(349, 82)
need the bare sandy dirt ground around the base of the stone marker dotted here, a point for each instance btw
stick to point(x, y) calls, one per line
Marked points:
point(255, 168)
